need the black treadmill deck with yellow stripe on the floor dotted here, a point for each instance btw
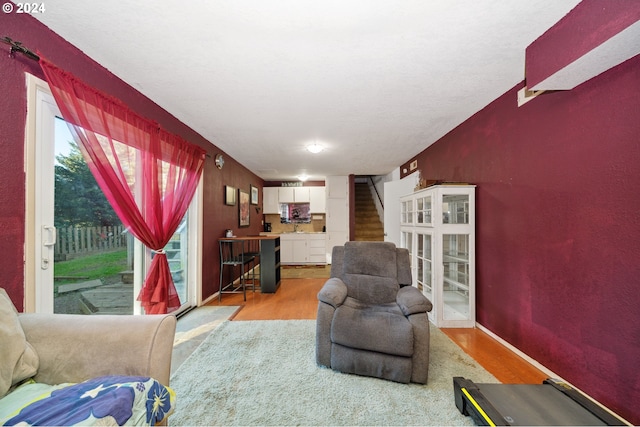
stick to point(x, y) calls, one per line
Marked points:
point(550, 403)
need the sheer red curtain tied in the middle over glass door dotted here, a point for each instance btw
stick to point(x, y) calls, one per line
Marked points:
point(148, 175)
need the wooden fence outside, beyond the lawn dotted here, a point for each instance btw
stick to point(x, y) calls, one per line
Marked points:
point(84, 240)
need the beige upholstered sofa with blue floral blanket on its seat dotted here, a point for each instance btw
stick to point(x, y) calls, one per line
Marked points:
point(59, 369)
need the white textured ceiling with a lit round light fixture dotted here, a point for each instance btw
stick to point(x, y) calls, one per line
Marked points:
point(374, 81)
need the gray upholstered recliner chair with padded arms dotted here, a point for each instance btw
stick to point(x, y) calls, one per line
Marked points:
point(371, 321)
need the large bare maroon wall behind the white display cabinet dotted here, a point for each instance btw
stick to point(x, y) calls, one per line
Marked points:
point(558, 227)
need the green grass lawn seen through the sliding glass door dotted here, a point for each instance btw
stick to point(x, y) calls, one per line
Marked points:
point(104, 266)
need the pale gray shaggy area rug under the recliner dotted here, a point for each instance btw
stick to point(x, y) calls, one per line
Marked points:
point(264, 373)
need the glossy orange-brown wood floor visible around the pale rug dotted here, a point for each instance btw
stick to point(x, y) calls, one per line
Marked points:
point(297, 299)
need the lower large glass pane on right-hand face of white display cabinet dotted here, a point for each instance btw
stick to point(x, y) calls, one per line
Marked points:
point(455, 279)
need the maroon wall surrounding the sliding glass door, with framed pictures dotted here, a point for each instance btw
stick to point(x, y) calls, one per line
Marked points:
point(34, 35)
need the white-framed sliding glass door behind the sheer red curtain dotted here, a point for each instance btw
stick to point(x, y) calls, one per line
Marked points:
point(80, 259)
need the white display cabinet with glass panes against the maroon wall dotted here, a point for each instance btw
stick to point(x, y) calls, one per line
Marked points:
point(437, 225)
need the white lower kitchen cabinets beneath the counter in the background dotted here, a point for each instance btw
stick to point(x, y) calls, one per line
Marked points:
point(302, 248)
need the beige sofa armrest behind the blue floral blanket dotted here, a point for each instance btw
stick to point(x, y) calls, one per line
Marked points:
point(74, 348)
